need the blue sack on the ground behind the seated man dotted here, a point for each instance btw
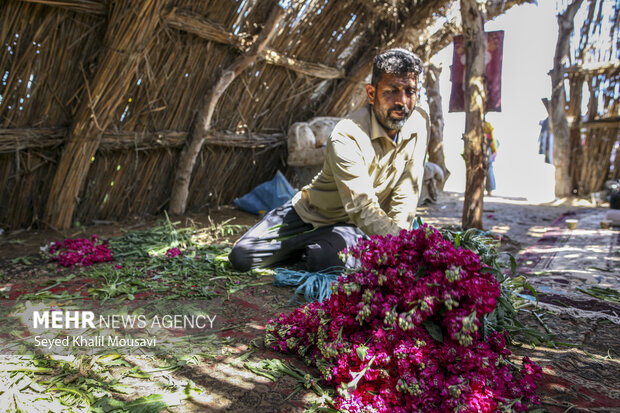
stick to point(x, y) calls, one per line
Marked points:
point(266, 196)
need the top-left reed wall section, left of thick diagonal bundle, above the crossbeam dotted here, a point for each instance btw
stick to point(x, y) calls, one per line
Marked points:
point(48, 50)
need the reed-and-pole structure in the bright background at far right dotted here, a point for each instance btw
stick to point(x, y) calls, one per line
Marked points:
point(585, 108)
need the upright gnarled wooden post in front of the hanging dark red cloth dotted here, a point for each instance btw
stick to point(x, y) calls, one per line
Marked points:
point(475, 100)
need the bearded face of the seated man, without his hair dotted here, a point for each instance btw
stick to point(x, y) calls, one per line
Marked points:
point(393, 99)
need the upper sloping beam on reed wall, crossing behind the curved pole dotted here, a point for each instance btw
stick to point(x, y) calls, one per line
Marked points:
point(196, 24)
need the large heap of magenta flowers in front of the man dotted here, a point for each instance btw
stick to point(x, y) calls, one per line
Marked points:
point(403, 333)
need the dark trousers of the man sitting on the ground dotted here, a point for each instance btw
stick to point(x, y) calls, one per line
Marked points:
point(282, 236)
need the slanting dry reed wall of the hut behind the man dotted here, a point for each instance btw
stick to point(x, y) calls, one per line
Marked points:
point(117, 108)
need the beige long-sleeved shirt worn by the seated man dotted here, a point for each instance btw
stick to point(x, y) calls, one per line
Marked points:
point(367, 179)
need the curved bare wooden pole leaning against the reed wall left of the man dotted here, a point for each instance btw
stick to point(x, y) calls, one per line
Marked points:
point(190, 152)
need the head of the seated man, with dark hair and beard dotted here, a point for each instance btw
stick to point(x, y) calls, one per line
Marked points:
point(394, 87)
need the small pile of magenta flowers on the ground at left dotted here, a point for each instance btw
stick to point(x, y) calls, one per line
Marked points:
point(80, 251)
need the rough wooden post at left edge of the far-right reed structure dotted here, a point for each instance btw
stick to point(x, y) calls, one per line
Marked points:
point(559, 121)
